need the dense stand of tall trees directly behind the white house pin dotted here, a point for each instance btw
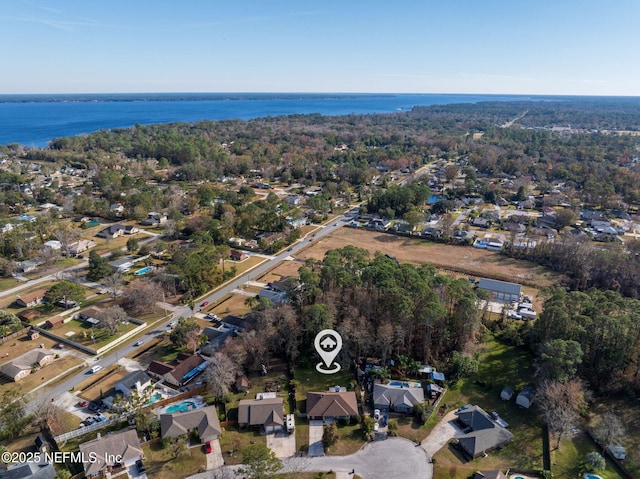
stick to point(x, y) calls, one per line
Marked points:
point(381, 309)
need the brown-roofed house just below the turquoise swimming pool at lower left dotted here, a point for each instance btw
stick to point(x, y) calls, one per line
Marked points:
point(204, 420)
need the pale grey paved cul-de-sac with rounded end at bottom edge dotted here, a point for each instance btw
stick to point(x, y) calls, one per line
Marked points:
point(383, 459)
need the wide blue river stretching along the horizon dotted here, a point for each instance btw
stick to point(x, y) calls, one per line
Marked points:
point(35, 120)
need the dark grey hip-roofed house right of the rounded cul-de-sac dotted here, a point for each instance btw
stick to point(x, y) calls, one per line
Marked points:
point(482, 434)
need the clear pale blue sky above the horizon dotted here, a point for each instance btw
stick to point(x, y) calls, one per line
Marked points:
point(573, 47)
